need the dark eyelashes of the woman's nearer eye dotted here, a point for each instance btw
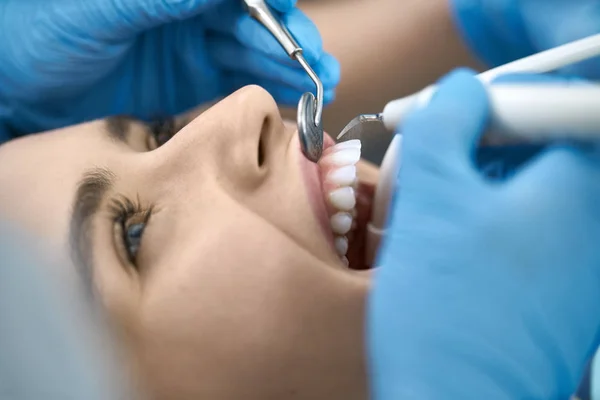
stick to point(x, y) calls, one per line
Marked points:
point(123, 210)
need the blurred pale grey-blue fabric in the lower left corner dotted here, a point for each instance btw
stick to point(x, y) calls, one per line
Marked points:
point(54, 344)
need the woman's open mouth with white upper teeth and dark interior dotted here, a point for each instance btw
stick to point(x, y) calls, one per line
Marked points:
point(349, 203)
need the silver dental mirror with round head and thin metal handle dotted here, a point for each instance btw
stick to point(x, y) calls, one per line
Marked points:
point(310, 109)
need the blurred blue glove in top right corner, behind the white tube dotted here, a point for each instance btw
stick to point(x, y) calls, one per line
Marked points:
point(499, 31)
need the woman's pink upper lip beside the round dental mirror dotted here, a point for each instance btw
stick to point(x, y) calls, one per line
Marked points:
point(312, 179)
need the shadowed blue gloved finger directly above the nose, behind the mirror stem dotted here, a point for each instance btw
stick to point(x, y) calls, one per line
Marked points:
point(283, 94)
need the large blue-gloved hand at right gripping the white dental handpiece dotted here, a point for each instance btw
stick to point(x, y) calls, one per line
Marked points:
point(487, 289)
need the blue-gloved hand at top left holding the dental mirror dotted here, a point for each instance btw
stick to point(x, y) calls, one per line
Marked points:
point(67, 61)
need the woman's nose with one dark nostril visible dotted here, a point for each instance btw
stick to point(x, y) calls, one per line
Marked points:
point(239, 138)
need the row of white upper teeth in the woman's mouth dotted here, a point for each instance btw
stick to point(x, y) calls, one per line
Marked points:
point(338, 165)
